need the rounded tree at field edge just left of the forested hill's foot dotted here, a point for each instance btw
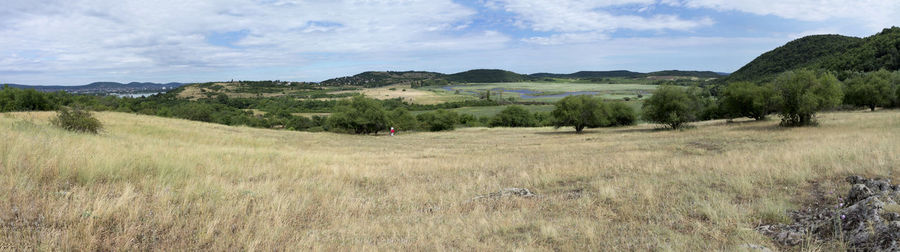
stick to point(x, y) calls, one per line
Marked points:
point(672, 106)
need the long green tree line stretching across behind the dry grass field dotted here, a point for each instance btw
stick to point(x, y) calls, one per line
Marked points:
point(795, 95)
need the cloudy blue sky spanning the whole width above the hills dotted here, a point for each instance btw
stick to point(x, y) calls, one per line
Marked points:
point(76, 42)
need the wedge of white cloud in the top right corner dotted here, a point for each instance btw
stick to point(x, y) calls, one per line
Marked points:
point(871, 13)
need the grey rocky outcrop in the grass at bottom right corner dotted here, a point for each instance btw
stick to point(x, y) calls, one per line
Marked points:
point(861, 220)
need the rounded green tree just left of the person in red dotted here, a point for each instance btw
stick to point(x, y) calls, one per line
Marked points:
point(360, 115)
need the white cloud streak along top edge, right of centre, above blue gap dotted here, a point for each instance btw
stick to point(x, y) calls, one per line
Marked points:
point(590, 16)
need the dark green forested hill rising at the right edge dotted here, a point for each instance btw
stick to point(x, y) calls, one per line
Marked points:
point(830, 52)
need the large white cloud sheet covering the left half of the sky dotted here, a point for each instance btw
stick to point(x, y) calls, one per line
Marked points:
point(117, 36)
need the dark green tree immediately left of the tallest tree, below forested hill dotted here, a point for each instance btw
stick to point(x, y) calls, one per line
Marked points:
point(746, 99)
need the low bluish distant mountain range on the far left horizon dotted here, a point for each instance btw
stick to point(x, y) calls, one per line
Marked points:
point(105, 87)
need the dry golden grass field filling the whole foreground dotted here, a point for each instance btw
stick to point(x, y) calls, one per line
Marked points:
point(149, 183)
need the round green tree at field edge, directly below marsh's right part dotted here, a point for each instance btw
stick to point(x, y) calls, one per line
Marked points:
point(580, 111)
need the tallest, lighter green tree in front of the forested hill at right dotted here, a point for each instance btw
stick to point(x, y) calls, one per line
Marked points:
point(803, 93)
